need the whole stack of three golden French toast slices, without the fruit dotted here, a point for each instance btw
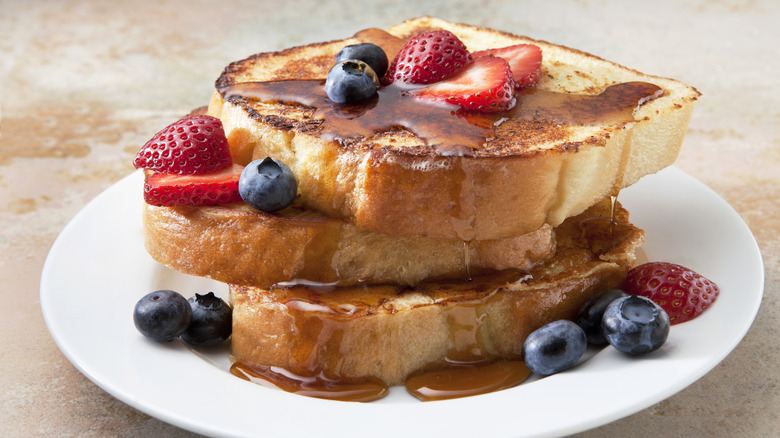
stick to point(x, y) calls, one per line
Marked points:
point(408, 248)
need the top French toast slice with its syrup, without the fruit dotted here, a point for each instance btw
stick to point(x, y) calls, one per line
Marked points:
point(399, 166)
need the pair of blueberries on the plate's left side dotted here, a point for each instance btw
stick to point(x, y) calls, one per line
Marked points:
point(165, 315)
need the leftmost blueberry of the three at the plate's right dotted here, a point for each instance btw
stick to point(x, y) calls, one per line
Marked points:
point(554, 347)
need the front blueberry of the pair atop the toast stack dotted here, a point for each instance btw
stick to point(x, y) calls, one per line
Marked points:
point(351, 81)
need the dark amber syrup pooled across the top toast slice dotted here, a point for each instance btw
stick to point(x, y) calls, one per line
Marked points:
point(446, 129)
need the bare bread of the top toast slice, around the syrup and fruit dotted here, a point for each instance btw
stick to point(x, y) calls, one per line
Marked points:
point(529, 174)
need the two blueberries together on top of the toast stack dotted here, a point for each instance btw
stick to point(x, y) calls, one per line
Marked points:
point(355, 76)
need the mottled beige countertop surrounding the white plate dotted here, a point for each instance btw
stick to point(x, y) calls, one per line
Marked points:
point(84, 83)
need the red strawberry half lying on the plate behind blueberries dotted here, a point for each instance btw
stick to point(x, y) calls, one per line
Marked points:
point(681, 292)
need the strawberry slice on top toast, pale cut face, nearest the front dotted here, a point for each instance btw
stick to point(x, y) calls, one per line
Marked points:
point(486, 85)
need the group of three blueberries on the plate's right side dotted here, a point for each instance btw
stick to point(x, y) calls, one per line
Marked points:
point(632, 324)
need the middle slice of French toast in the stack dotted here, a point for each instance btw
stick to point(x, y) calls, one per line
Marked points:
point(237, 244)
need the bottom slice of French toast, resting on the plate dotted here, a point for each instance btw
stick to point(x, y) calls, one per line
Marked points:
point(390, 332)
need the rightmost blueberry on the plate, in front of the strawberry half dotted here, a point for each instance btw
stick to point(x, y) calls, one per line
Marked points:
point(635, 325)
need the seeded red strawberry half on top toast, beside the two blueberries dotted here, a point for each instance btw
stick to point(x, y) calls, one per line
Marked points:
point(428, 57)
